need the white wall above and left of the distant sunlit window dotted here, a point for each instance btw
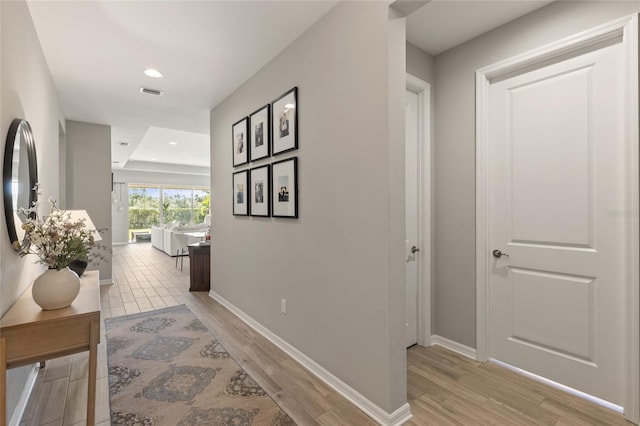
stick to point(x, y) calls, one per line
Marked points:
point(120, 218)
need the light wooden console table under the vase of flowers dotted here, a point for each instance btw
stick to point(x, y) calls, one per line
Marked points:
point(29, 335)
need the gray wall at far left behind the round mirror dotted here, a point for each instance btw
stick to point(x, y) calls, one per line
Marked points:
point(26, 91)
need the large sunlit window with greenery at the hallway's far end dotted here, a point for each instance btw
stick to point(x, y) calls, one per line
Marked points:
point(156, 205)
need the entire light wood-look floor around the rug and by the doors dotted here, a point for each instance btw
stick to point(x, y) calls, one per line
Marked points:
point(443, 387)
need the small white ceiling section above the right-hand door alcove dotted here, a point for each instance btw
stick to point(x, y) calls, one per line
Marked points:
point(443, 24)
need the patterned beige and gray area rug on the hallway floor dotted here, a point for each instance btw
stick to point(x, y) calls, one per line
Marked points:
point(165, 368)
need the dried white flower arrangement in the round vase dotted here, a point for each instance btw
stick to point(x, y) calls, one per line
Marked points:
point(57, 239)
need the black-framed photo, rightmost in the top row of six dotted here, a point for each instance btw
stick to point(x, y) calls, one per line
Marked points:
point(284, 122)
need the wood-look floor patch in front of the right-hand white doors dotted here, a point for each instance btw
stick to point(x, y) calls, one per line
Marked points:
point(445, 388)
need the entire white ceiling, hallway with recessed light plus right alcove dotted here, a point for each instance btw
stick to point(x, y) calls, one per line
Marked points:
point(97, 52)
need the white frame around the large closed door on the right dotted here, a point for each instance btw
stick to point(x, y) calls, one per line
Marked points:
point(625, 28)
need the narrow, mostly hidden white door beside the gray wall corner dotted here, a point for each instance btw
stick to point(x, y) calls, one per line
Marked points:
point(411, 216)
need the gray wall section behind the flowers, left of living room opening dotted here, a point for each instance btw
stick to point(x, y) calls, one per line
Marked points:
point(88, 179)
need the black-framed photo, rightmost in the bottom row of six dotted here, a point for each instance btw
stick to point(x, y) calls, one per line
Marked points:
point(284, 188)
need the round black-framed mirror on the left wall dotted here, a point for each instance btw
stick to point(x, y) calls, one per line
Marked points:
point(20, 176)
